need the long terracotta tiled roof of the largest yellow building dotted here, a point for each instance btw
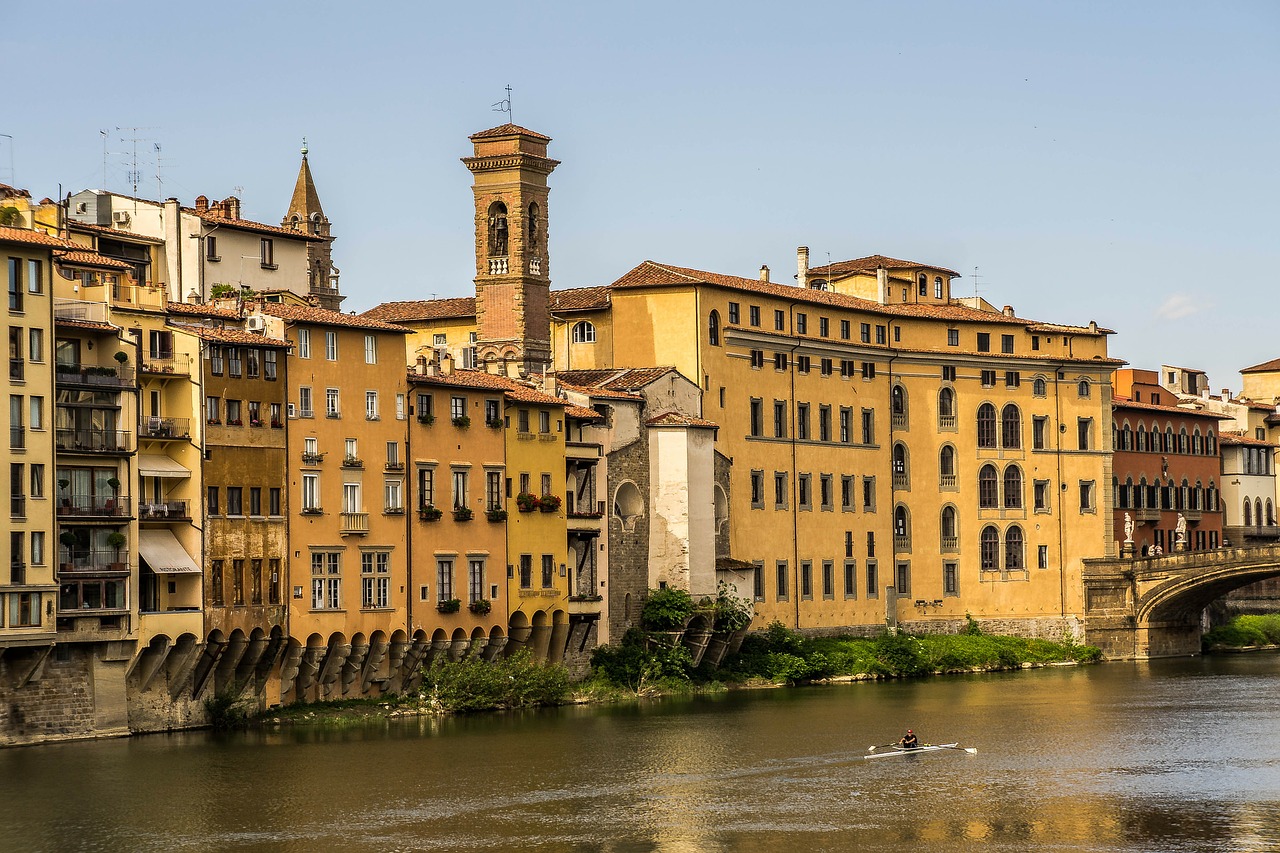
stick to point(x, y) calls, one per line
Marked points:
point(653, 275)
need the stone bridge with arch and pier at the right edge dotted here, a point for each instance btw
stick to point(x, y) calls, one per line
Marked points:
point(1154, 606)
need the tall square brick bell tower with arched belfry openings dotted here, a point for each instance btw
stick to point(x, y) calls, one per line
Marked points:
point(510, 172)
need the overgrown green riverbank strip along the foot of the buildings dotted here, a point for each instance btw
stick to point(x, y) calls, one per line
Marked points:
point(642, 669)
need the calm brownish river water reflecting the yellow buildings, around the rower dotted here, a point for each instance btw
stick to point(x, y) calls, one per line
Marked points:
point(1169, 756)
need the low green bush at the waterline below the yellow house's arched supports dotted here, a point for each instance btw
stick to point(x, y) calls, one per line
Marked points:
point(474, 685)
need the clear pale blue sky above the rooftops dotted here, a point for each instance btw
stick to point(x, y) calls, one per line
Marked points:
point(1090, 161)
